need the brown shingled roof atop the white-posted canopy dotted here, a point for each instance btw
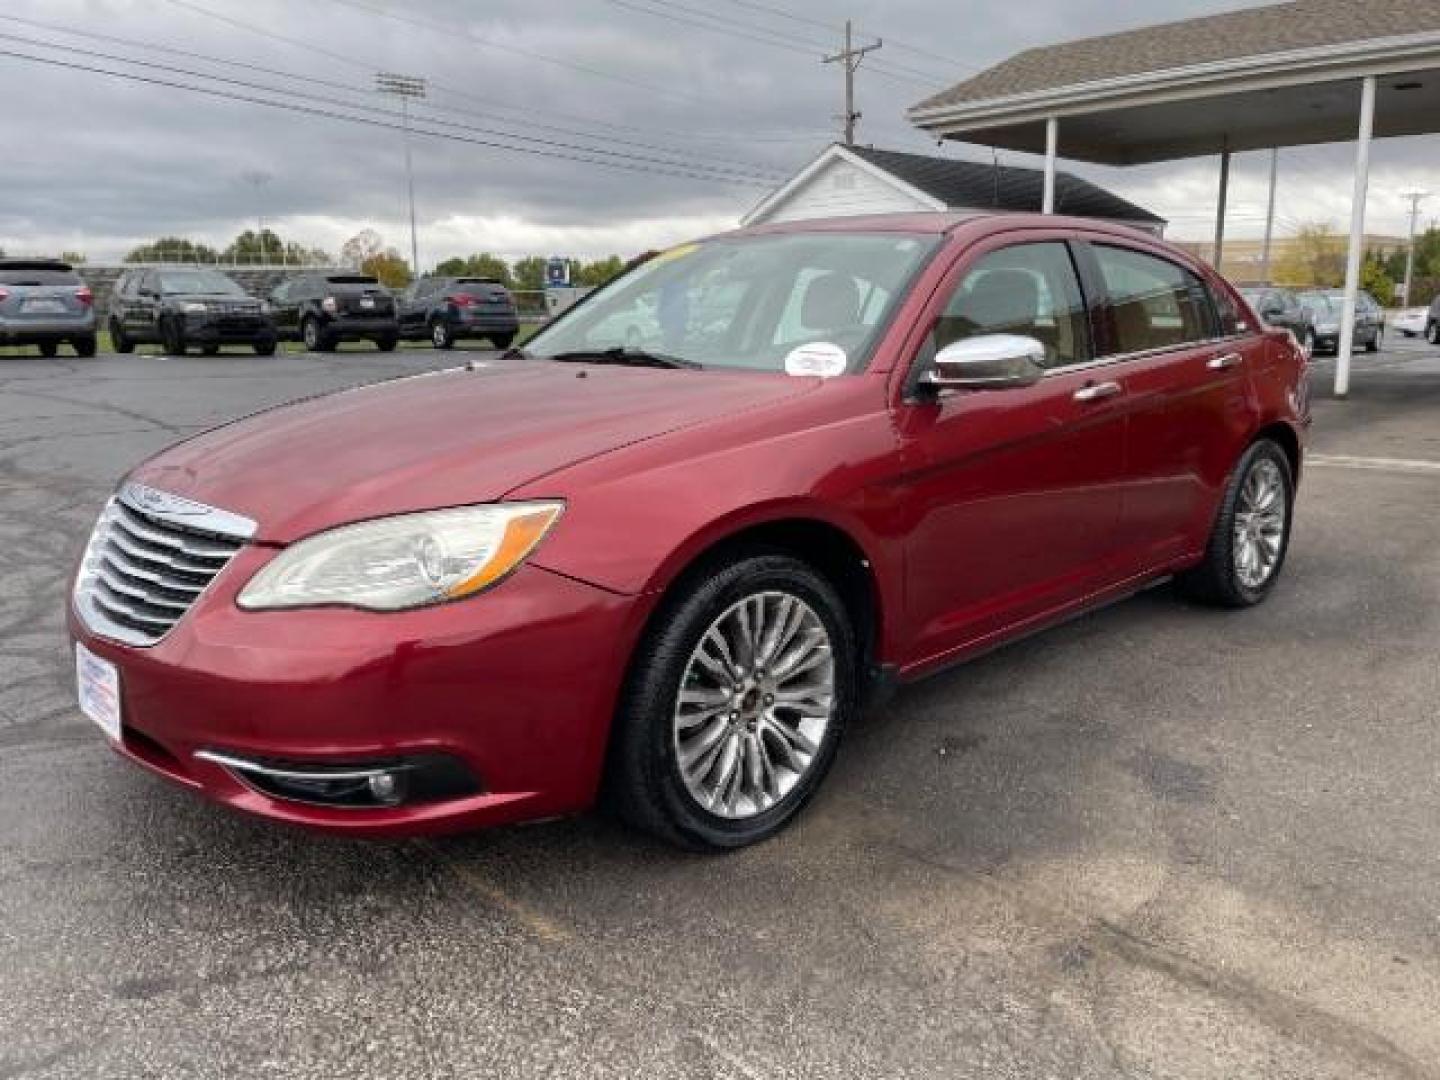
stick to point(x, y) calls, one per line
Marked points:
point(1251, 32)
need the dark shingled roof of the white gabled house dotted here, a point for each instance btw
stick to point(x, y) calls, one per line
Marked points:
point(976, 185)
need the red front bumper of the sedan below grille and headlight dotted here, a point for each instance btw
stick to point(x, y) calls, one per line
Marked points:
point(519, 685)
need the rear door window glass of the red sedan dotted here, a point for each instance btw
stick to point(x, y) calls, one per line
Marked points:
point(1157, 303)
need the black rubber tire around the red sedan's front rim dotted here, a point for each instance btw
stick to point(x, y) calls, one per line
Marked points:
point(643, 781)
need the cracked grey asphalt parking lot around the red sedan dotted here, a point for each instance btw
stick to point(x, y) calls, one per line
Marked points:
point(1157, 842)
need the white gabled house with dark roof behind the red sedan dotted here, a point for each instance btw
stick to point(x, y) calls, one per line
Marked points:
point(855, 181)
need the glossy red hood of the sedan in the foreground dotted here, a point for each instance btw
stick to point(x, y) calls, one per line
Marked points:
point(450, 438)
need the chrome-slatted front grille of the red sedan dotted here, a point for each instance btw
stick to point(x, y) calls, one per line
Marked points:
point(150, 557)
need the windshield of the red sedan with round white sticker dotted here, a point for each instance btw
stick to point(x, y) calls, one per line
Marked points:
point(798, 303)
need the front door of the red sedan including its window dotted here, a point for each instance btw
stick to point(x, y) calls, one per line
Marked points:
point(1016, 493)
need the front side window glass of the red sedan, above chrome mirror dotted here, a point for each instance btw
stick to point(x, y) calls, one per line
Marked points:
point(1029, 290)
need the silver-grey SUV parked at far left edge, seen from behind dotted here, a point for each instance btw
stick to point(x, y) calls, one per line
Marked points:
point(44, 303)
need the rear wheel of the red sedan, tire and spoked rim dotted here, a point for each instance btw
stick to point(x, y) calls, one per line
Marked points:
point(1252, 534)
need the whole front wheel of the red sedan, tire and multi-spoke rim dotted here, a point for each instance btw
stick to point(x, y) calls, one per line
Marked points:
point(735, 706)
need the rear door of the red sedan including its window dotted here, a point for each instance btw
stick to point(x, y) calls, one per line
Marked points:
point(1187, 394)
